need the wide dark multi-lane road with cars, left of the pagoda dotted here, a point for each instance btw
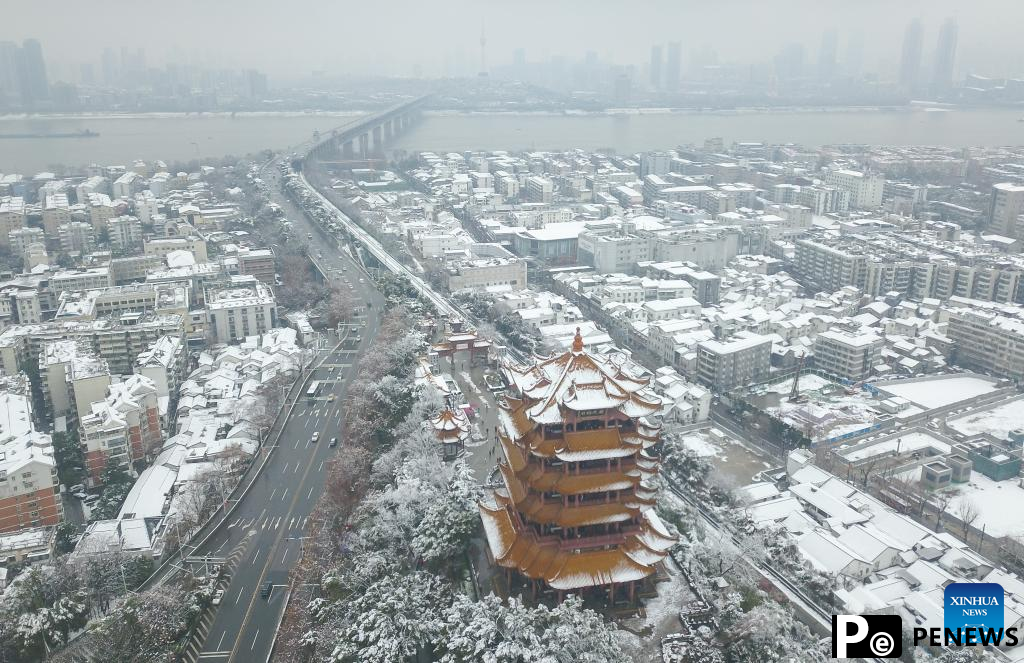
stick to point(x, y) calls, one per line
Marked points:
point(263, 540)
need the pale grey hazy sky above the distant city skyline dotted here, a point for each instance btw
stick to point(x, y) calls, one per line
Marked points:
point(289, 38)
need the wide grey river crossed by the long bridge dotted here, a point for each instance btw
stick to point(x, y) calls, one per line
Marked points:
point(181, 138)
